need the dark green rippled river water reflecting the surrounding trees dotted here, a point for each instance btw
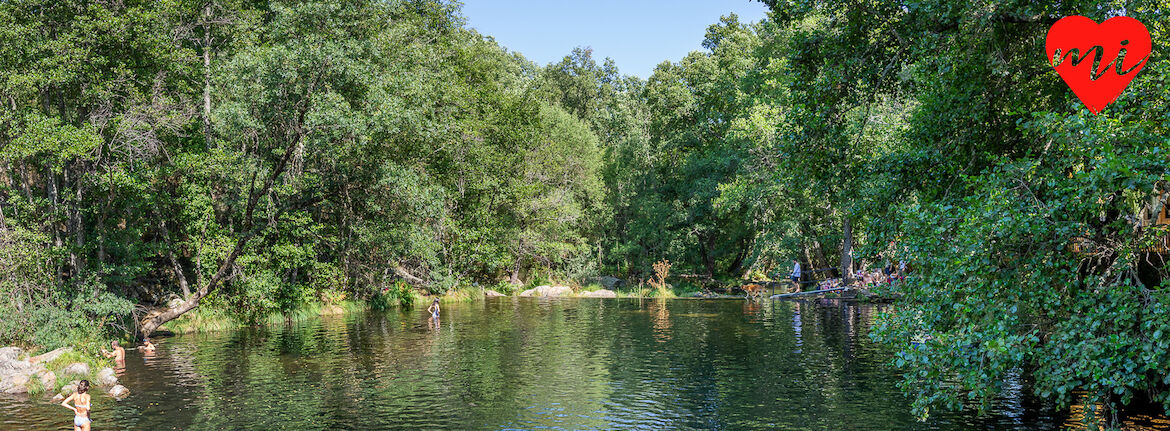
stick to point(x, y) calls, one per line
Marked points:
point(533, 365)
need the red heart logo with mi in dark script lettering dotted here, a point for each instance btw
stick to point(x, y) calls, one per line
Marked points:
point(1098, 61)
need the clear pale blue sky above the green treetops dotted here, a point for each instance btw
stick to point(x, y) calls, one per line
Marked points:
point(637, 35)
